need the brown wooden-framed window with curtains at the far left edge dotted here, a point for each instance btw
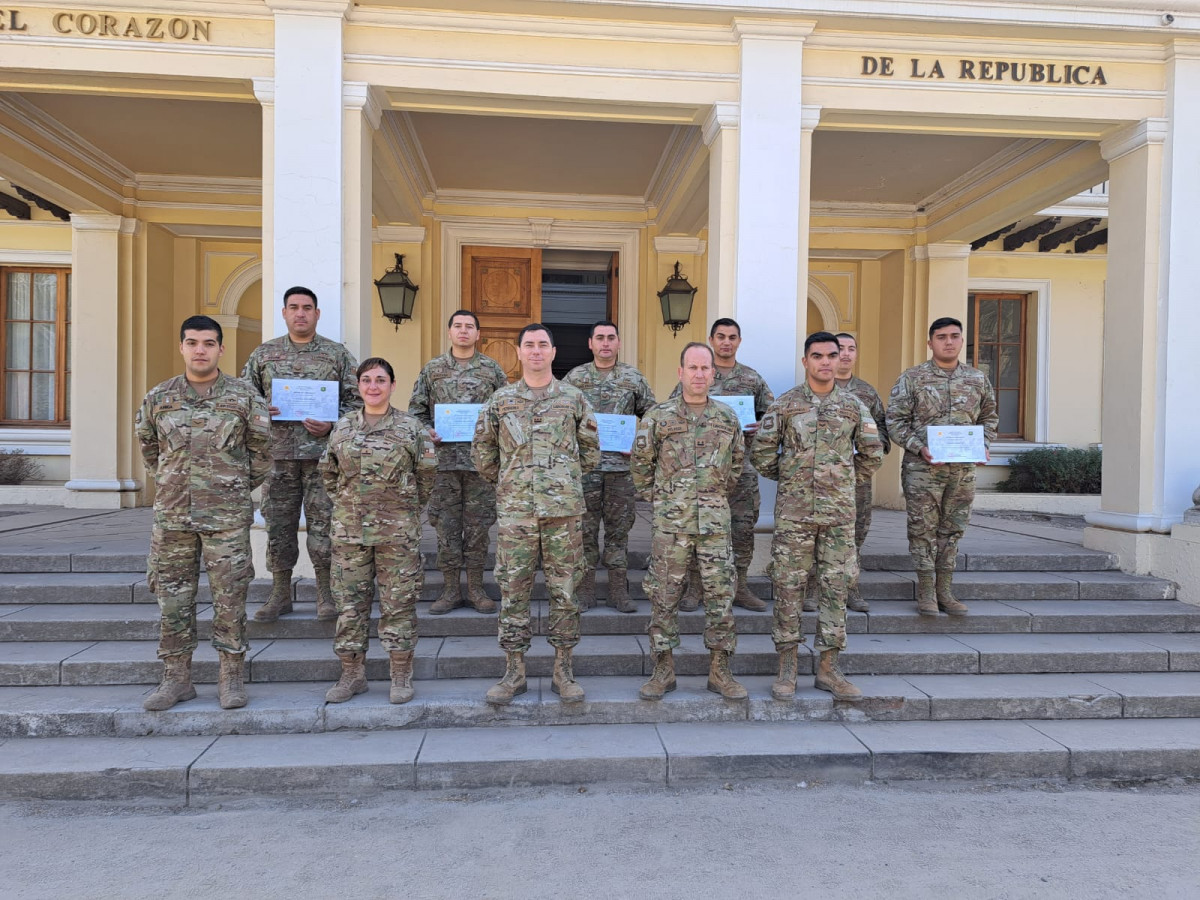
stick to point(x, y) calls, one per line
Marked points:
point(37, 323)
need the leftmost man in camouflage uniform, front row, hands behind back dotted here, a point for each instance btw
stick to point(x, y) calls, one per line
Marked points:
point(205, 442)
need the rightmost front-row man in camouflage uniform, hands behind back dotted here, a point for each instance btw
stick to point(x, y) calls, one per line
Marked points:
point(819, 441)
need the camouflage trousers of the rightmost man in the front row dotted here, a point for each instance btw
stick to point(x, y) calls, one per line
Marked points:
point(796, 550)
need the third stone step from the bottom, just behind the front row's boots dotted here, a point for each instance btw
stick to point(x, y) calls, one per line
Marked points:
point(478, 657)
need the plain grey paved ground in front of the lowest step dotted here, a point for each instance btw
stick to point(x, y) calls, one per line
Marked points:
point(763, 841)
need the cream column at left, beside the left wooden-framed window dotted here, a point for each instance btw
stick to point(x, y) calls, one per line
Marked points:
point(101, 406)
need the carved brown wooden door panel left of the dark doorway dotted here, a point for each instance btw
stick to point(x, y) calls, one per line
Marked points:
point(502, 286)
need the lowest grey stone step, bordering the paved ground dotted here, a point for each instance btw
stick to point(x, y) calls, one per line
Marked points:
point(197, 771)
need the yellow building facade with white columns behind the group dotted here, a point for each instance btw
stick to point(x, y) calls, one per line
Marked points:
point(859, 167)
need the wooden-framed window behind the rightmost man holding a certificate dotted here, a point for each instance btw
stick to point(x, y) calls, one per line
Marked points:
point(997, 346)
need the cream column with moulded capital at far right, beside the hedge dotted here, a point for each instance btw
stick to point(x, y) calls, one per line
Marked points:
point(1135, 344)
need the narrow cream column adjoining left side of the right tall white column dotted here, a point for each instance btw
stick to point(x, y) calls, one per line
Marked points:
point(721, 133)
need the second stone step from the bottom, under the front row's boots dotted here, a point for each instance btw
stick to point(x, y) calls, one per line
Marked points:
point(299, 707)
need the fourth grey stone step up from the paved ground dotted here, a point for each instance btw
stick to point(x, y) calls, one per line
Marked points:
point(140, 622)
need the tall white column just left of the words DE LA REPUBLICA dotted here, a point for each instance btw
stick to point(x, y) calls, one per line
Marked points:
point(769, 298)
